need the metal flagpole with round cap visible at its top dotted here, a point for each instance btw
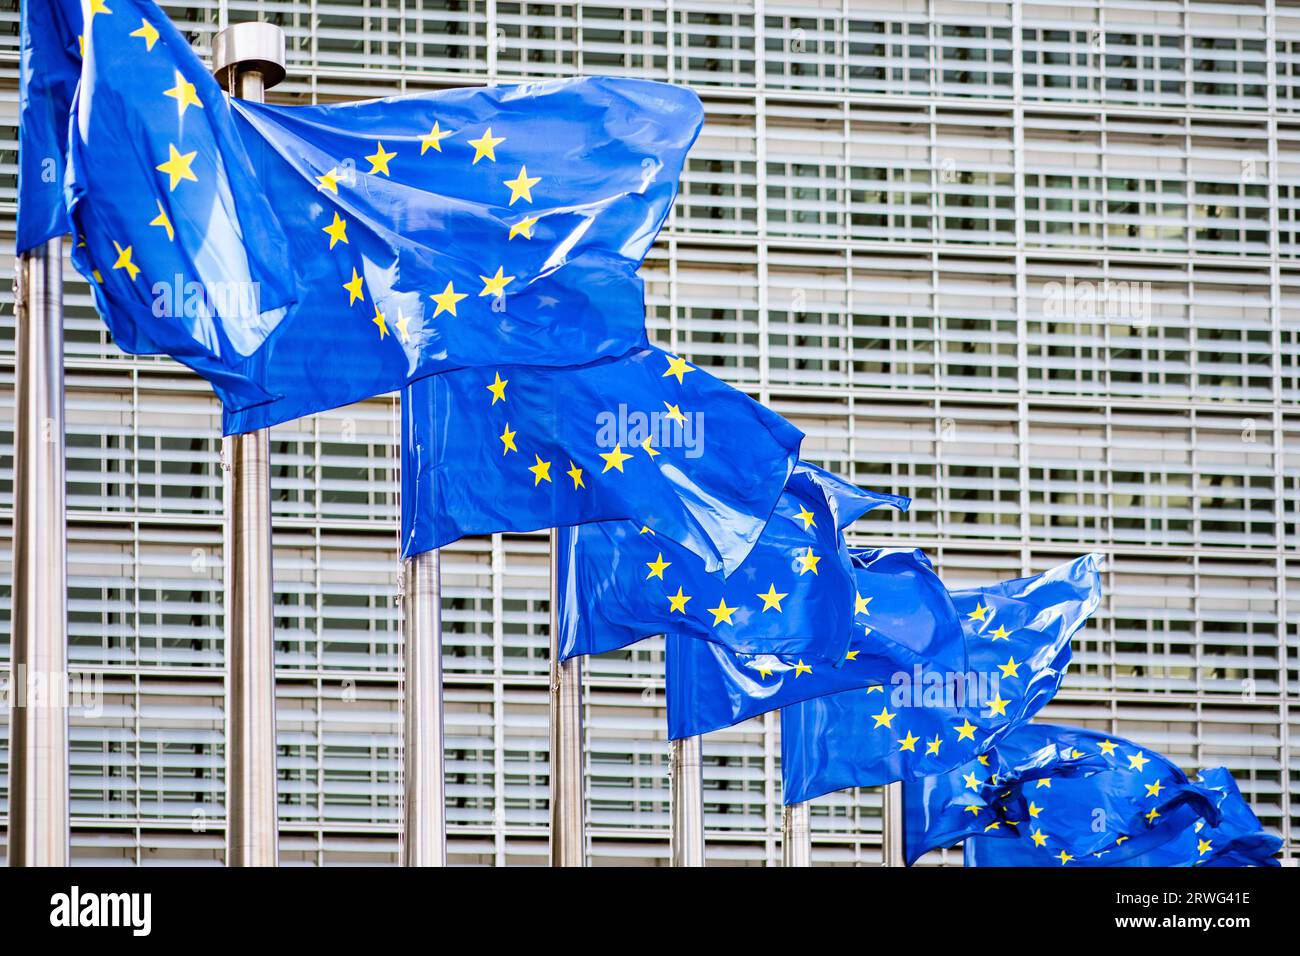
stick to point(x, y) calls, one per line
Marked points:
point(248, 59)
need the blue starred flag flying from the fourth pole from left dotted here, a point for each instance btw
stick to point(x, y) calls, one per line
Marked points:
point(792, 596)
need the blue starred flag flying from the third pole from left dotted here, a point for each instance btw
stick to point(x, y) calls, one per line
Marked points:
point(645, 438)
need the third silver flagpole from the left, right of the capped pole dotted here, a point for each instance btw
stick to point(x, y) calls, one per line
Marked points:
point(424, 810)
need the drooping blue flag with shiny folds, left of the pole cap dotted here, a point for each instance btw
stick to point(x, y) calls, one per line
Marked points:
point(177, 237)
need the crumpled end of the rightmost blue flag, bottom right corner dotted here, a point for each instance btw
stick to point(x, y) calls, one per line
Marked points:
point(1240, 840)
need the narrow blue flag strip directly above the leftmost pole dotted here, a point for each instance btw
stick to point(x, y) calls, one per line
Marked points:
point(49, 68)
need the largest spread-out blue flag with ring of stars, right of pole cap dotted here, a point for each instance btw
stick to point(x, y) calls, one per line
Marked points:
point(467, 228)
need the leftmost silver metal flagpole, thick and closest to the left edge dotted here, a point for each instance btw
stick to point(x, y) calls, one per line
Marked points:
point(38, 721)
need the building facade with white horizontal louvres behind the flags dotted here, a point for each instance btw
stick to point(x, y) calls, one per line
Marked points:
point(1034, 265)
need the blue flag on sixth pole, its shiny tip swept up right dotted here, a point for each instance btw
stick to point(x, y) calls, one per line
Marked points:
point(1017, 647)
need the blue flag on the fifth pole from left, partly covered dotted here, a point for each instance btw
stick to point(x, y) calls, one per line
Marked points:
point(899, 616)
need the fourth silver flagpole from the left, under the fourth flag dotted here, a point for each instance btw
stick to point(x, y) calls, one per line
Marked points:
point(567, 797)
